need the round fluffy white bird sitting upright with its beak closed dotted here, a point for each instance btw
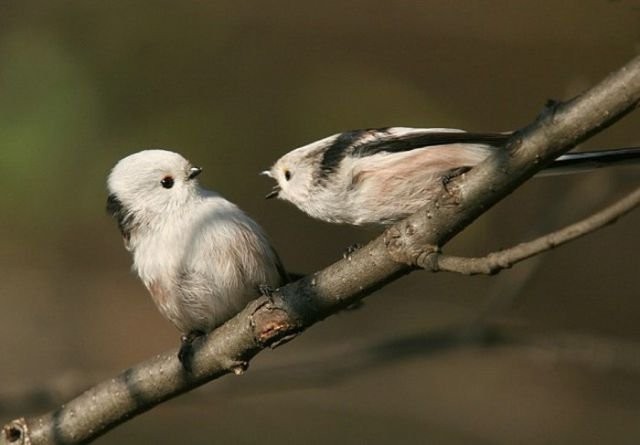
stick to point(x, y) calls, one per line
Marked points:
point(201, 257)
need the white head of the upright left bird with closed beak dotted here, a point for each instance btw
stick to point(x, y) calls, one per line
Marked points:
point(148, 183)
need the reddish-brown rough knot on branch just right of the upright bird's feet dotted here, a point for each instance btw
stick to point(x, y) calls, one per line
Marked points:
point(272, 323)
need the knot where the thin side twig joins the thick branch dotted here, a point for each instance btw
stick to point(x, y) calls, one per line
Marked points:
point(403, 242)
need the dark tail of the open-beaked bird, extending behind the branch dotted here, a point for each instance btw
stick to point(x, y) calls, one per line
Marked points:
point(577, 162)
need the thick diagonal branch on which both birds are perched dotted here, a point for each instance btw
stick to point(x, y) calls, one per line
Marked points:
point(269, 321)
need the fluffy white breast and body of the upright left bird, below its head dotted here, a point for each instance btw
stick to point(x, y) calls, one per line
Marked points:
point(204, 263)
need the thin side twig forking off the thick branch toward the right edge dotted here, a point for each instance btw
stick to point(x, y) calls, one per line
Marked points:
point(504, 259)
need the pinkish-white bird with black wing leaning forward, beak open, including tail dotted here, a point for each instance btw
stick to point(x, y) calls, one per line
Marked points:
point(380, 176)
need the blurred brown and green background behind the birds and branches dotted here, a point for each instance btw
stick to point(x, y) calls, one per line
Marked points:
point(548, 352)
